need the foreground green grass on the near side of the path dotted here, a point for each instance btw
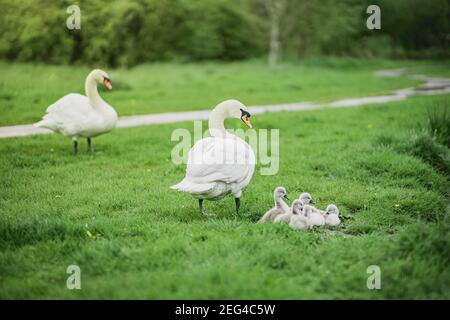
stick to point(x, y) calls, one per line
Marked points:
point(150, 242)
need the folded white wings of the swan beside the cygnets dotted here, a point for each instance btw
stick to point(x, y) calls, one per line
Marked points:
point(217, 159)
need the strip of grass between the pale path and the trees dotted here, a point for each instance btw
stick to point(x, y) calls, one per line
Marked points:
point(26, 90)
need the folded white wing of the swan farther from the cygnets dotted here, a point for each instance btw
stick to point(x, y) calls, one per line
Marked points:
point(69, 115)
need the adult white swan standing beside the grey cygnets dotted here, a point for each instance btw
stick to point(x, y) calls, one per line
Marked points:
point(221, 164)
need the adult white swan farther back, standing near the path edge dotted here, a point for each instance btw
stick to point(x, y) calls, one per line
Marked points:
point(75, 115)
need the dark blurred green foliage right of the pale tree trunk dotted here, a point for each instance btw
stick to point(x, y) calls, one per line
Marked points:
point(409, 28)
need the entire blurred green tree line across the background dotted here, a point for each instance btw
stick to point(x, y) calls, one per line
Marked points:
point(125, 33)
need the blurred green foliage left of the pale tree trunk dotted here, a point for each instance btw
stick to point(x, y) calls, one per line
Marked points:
point(125, 33)
